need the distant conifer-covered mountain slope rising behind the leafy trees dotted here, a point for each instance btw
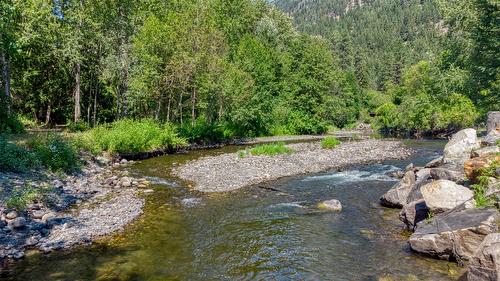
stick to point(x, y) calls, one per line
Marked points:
point(376, 39)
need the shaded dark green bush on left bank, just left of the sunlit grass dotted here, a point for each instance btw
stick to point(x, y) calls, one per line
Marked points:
point(56, 154)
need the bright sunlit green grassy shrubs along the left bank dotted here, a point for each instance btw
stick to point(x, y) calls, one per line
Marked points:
point(129, 136)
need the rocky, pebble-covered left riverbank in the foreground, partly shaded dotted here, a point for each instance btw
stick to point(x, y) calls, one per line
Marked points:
point(63, 211)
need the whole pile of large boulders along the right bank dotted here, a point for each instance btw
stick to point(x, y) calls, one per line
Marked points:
point(438, 204)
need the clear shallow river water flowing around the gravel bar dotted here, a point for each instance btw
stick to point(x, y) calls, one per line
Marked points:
point(254, 233)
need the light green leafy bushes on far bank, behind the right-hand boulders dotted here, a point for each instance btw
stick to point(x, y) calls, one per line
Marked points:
point(423, 105)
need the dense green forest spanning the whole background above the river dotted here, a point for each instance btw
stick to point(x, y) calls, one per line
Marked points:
point(219, 69)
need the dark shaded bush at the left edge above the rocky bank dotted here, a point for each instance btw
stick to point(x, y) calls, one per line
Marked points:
point(14, 158)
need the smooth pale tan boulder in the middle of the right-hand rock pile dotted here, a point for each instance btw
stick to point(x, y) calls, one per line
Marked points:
point(444, 195)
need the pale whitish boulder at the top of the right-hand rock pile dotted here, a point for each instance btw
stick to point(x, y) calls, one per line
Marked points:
point(459, 148)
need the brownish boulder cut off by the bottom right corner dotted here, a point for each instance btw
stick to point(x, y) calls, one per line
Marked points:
point(485, 264)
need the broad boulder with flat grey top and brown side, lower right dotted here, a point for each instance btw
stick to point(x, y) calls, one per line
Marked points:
point(455, 234)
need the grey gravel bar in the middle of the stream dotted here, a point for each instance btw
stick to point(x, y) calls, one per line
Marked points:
point(228, 172)
